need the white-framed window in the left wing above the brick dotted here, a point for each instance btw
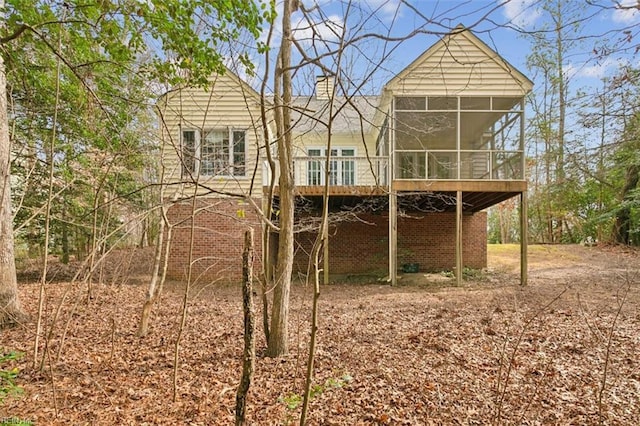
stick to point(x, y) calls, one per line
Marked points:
point(214, 152)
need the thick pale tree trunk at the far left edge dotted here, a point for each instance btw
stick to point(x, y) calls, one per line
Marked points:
point(10, 310)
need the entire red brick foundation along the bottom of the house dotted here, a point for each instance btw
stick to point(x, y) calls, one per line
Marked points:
point(355, 247)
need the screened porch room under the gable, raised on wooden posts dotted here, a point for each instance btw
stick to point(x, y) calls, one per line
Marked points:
point(458, 138)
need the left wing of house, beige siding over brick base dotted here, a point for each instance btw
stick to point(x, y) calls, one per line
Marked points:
point(212, 140)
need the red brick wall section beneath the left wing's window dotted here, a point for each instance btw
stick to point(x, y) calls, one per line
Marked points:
point(220, 225)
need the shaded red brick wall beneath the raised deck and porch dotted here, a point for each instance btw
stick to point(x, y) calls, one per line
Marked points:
point(426, 239)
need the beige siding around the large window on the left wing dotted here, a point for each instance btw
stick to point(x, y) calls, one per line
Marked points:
point(227, 104)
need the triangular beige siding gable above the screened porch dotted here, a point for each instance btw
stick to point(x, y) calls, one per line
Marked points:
point(459, 65)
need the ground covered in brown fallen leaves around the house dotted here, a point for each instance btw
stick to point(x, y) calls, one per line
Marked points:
point(563, 350)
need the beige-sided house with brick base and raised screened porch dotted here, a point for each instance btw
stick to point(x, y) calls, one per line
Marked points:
point(412, 170)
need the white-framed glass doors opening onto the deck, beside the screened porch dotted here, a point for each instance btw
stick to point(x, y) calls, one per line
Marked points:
point(342, 169)
